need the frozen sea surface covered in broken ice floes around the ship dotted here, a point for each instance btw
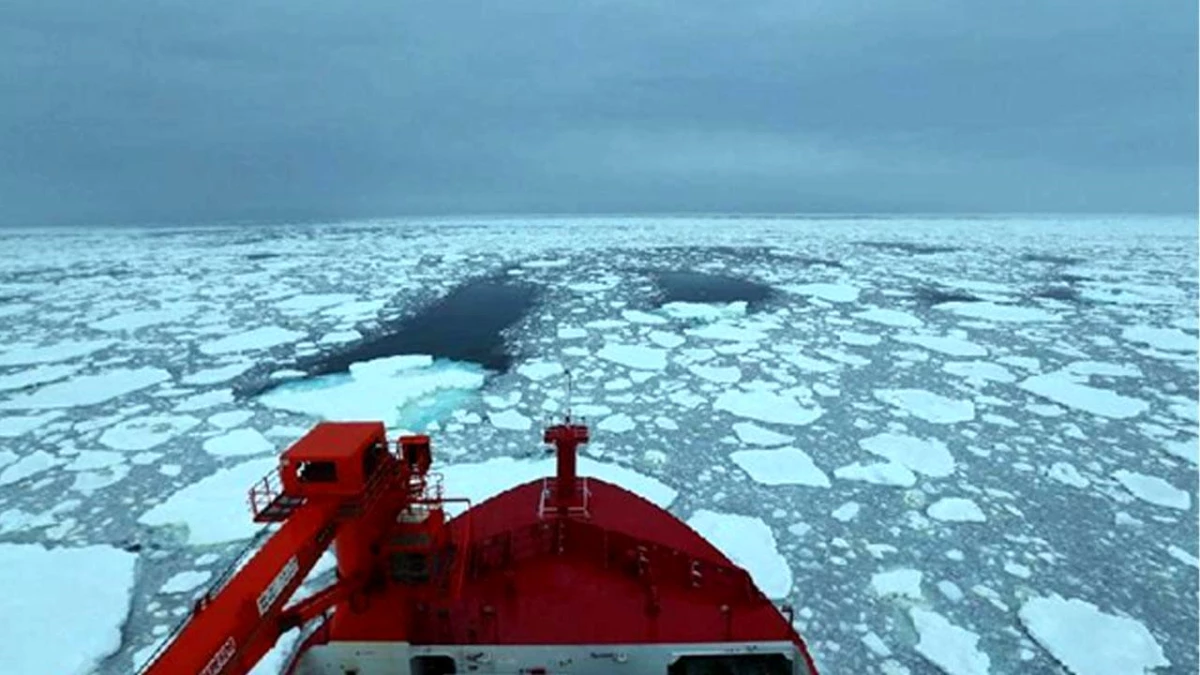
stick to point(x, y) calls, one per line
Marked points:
point(892, 423)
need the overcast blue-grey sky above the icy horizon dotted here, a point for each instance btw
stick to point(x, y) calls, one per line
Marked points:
point(182, 111)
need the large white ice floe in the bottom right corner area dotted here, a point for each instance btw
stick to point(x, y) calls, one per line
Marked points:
point(1089, 642)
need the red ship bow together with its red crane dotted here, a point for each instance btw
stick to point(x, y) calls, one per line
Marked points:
point(551, 563)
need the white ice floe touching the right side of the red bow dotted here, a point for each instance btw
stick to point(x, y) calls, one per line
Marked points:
point(751, 545)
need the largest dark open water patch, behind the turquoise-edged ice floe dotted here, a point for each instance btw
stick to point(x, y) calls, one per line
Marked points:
point(466, 326)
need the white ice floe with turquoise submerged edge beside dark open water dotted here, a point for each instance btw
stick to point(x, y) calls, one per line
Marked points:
point(407, 393)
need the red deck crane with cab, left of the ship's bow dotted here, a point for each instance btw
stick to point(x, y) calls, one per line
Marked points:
point(340, 486)
